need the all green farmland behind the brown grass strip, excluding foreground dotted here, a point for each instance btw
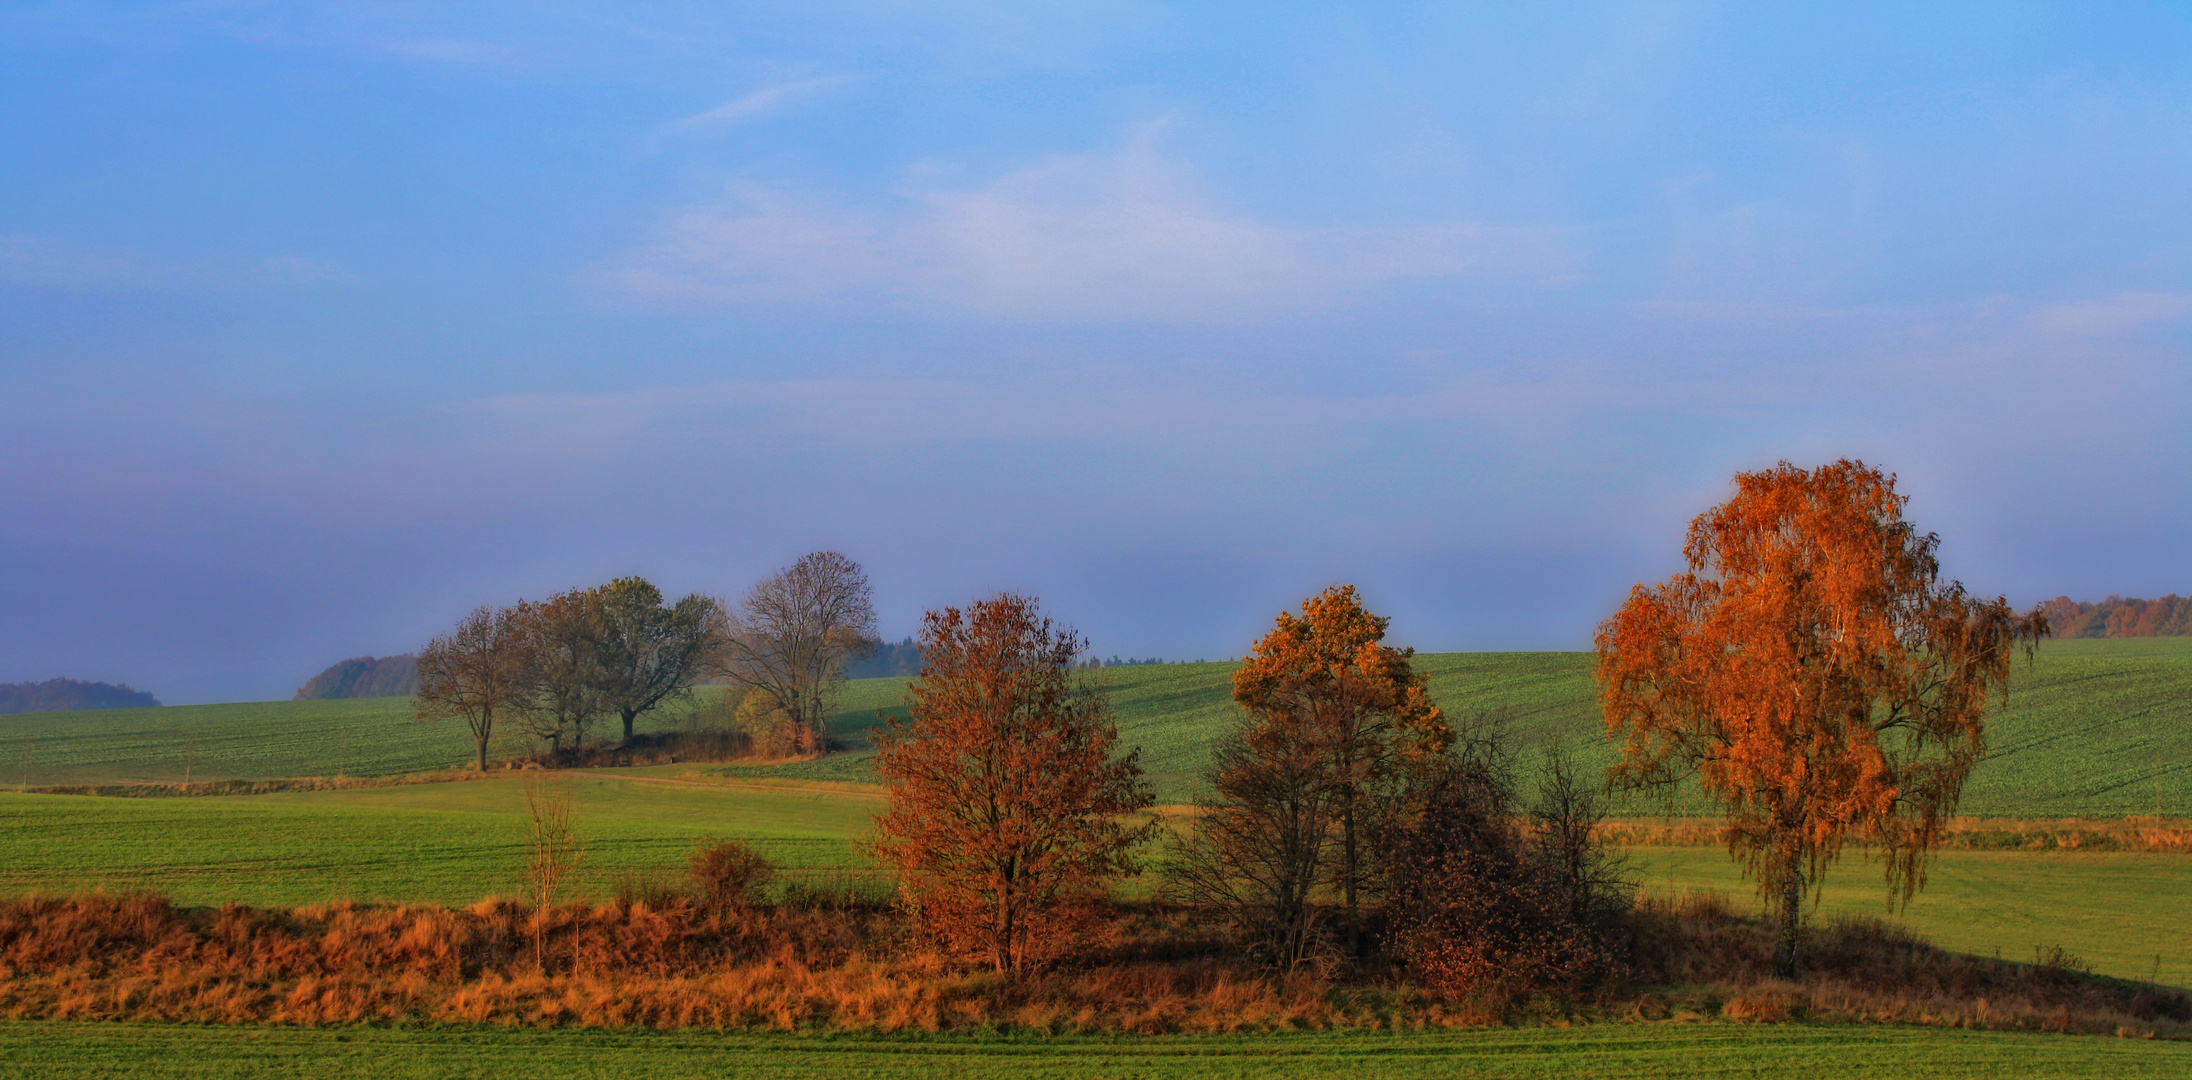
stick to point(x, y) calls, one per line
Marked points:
point(2094, 728)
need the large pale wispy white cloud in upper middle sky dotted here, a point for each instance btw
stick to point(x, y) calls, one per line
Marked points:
point(1126, 235)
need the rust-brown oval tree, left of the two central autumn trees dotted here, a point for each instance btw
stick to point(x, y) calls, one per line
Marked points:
point(1005, 796)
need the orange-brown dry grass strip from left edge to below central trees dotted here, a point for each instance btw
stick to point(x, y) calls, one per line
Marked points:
point(613, 965)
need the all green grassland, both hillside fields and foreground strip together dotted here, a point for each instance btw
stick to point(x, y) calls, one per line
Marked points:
point(2092, 731)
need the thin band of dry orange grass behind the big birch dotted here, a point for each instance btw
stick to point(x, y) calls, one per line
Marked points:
point(1961, 834)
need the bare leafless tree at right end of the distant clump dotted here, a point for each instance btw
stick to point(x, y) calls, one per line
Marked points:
point(795, 632)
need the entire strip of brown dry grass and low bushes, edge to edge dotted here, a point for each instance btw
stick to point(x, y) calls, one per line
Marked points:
point(825, 963)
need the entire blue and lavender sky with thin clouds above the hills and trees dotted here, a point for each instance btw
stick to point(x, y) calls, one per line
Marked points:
point(323, 325)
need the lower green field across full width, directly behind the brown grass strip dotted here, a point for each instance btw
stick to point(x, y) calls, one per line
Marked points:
point(453, 845)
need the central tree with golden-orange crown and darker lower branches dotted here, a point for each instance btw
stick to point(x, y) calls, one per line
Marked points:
point(1332, 715)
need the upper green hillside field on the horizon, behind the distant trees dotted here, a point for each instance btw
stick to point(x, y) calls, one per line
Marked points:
point(2094, 728)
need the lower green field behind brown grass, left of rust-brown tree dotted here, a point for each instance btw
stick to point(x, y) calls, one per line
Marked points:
point(446, 845)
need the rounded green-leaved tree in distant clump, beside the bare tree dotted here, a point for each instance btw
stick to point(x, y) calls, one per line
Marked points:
point(648, 652)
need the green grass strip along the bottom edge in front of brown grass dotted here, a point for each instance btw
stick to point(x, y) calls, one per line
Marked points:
point(1667, 1050)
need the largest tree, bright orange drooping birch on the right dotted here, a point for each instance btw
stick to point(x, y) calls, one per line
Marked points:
point(1816, 676)
